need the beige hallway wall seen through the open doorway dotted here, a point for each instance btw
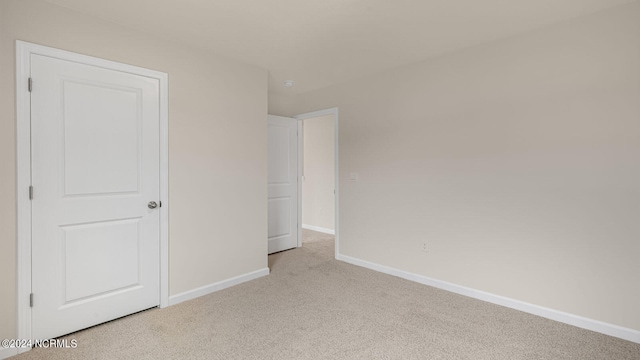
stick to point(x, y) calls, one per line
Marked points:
point(318, 204)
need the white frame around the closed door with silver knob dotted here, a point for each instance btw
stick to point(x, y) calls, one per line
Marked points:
point(24, 50)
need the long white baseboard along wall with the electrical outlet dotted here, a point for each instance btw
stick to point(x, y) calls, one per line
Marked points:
point(571, 319)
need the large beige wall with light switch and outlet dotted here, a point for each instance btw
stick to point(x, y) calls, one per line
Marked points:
point(517, 161)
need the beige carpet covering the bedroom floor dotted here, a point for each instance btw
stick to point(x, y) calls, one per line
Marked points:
point(314, 307)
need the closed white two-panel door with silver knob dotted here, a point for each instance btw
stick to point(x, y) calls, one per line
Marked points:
point(95, 170)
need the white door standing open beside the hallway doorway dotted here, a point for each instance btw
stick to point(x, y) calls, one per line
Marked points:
point(283, 183)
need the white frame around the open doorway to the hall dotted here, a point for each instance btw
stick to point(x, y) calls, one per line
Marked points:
point(314, 114)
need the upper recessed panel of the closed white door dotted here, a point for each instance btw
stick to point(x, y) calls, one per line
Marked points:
point(101, 133)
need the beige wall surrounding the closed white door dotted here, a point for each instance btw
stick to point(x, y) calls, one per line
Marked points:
point(217, 145)
